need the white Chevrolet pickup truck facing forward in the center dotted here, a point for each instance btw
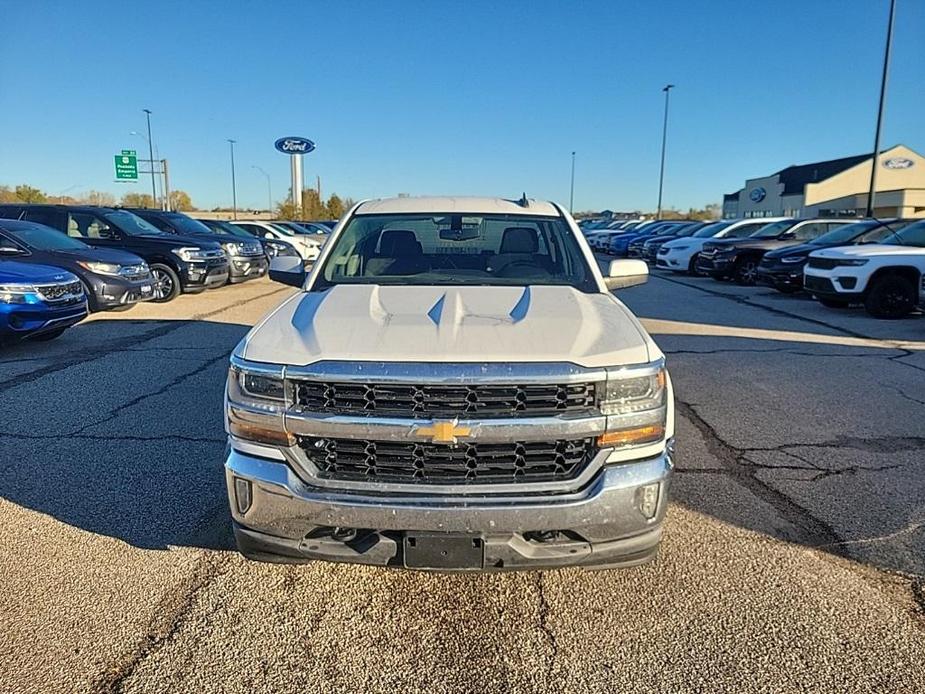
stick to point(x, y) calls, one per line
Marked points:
point(454, 387)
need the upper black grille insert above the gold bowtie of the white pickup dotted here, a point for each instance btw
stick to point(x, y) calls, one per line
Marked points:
point(427, 401)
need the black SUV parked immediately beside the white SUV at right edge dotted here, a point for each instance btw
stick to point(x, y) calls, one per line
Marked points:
point(783, 268)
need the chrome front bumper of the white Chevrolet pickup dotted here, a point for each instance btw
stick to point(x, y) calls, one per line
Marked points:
point(602, 524)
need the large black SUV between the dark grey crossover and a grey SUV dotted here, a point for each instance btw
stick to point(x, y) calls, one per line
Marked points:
point(177, 263)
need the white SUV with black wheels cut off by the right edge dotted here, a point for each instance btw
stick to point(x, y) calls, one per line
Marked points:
point(887, 277)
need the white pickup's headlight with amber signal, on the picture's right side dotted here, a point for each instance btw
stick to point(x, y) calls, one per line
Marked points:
point(635, 402)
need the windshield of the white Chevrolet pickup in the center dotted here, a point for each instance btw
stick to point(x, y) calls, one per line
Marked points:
point(456, 249)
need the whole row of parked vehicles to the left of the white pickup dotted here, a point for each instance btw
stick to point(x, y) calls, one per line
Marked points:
point(59, 262)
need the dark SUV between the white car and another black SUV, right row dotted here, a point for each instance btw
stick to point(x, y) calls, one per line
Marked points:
point(739, 258)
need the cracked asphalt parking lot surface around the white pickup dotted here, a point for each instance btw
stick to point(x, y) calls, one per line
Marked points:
point(794, 555)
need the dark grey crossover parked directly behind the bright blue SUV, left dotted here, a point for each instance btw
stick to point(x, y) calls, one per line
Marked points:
point(112, 279)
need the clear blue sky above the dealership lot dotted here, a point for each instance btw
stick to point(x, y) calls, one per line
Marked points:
point(463, 98)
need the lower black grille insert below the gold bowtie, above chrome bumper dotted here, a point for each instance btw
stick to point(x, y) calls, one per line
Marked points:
point(423, 463)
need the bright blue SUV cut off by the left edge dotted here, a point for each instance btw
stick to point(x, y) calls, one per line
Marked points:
point(38, 301)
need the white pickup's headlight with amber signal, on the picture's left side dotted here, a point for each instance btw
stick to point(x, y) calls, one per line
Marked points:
point(256, 403)
